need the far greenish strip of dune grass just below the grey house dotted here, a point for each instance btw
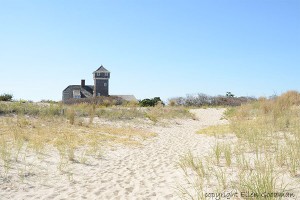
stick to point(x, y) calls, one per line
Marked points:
point(71, 112)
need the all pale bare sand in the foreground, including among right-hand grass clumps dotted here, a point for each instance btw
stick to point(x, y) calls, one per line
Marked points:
point(149, 170)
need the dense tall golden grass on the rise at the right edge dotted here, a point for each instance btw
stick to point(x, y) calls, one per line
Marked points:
point(272, 126)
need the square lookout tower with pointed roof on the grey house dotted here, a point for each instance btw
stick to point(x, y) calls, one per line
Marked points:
point(101, 79)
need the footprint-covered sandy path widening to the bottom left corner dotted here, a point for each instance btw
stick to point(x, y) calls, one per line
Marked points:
point(144, 172)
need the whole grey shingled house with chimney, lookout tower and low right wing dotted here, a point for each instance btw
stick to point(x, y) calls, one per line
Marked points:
point(100, 88)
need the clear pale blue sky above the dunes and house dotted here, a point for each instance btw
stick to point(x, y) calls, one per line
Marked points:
point(165, 48)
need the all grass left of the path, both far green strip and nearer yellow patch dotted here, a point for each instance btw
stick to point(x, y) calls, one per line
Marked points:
point(30, 131)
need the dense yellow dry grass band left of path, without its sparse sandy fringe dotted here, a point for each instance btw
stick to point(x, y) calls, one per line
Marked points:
point(59, 131)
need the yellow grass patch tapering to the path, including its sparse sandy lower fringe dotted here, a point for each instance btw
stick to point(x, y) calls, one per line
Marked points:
point(66, 137)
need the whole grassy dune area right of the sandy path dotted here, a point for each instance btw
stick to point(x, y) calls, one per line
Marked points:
point(262, 159)
